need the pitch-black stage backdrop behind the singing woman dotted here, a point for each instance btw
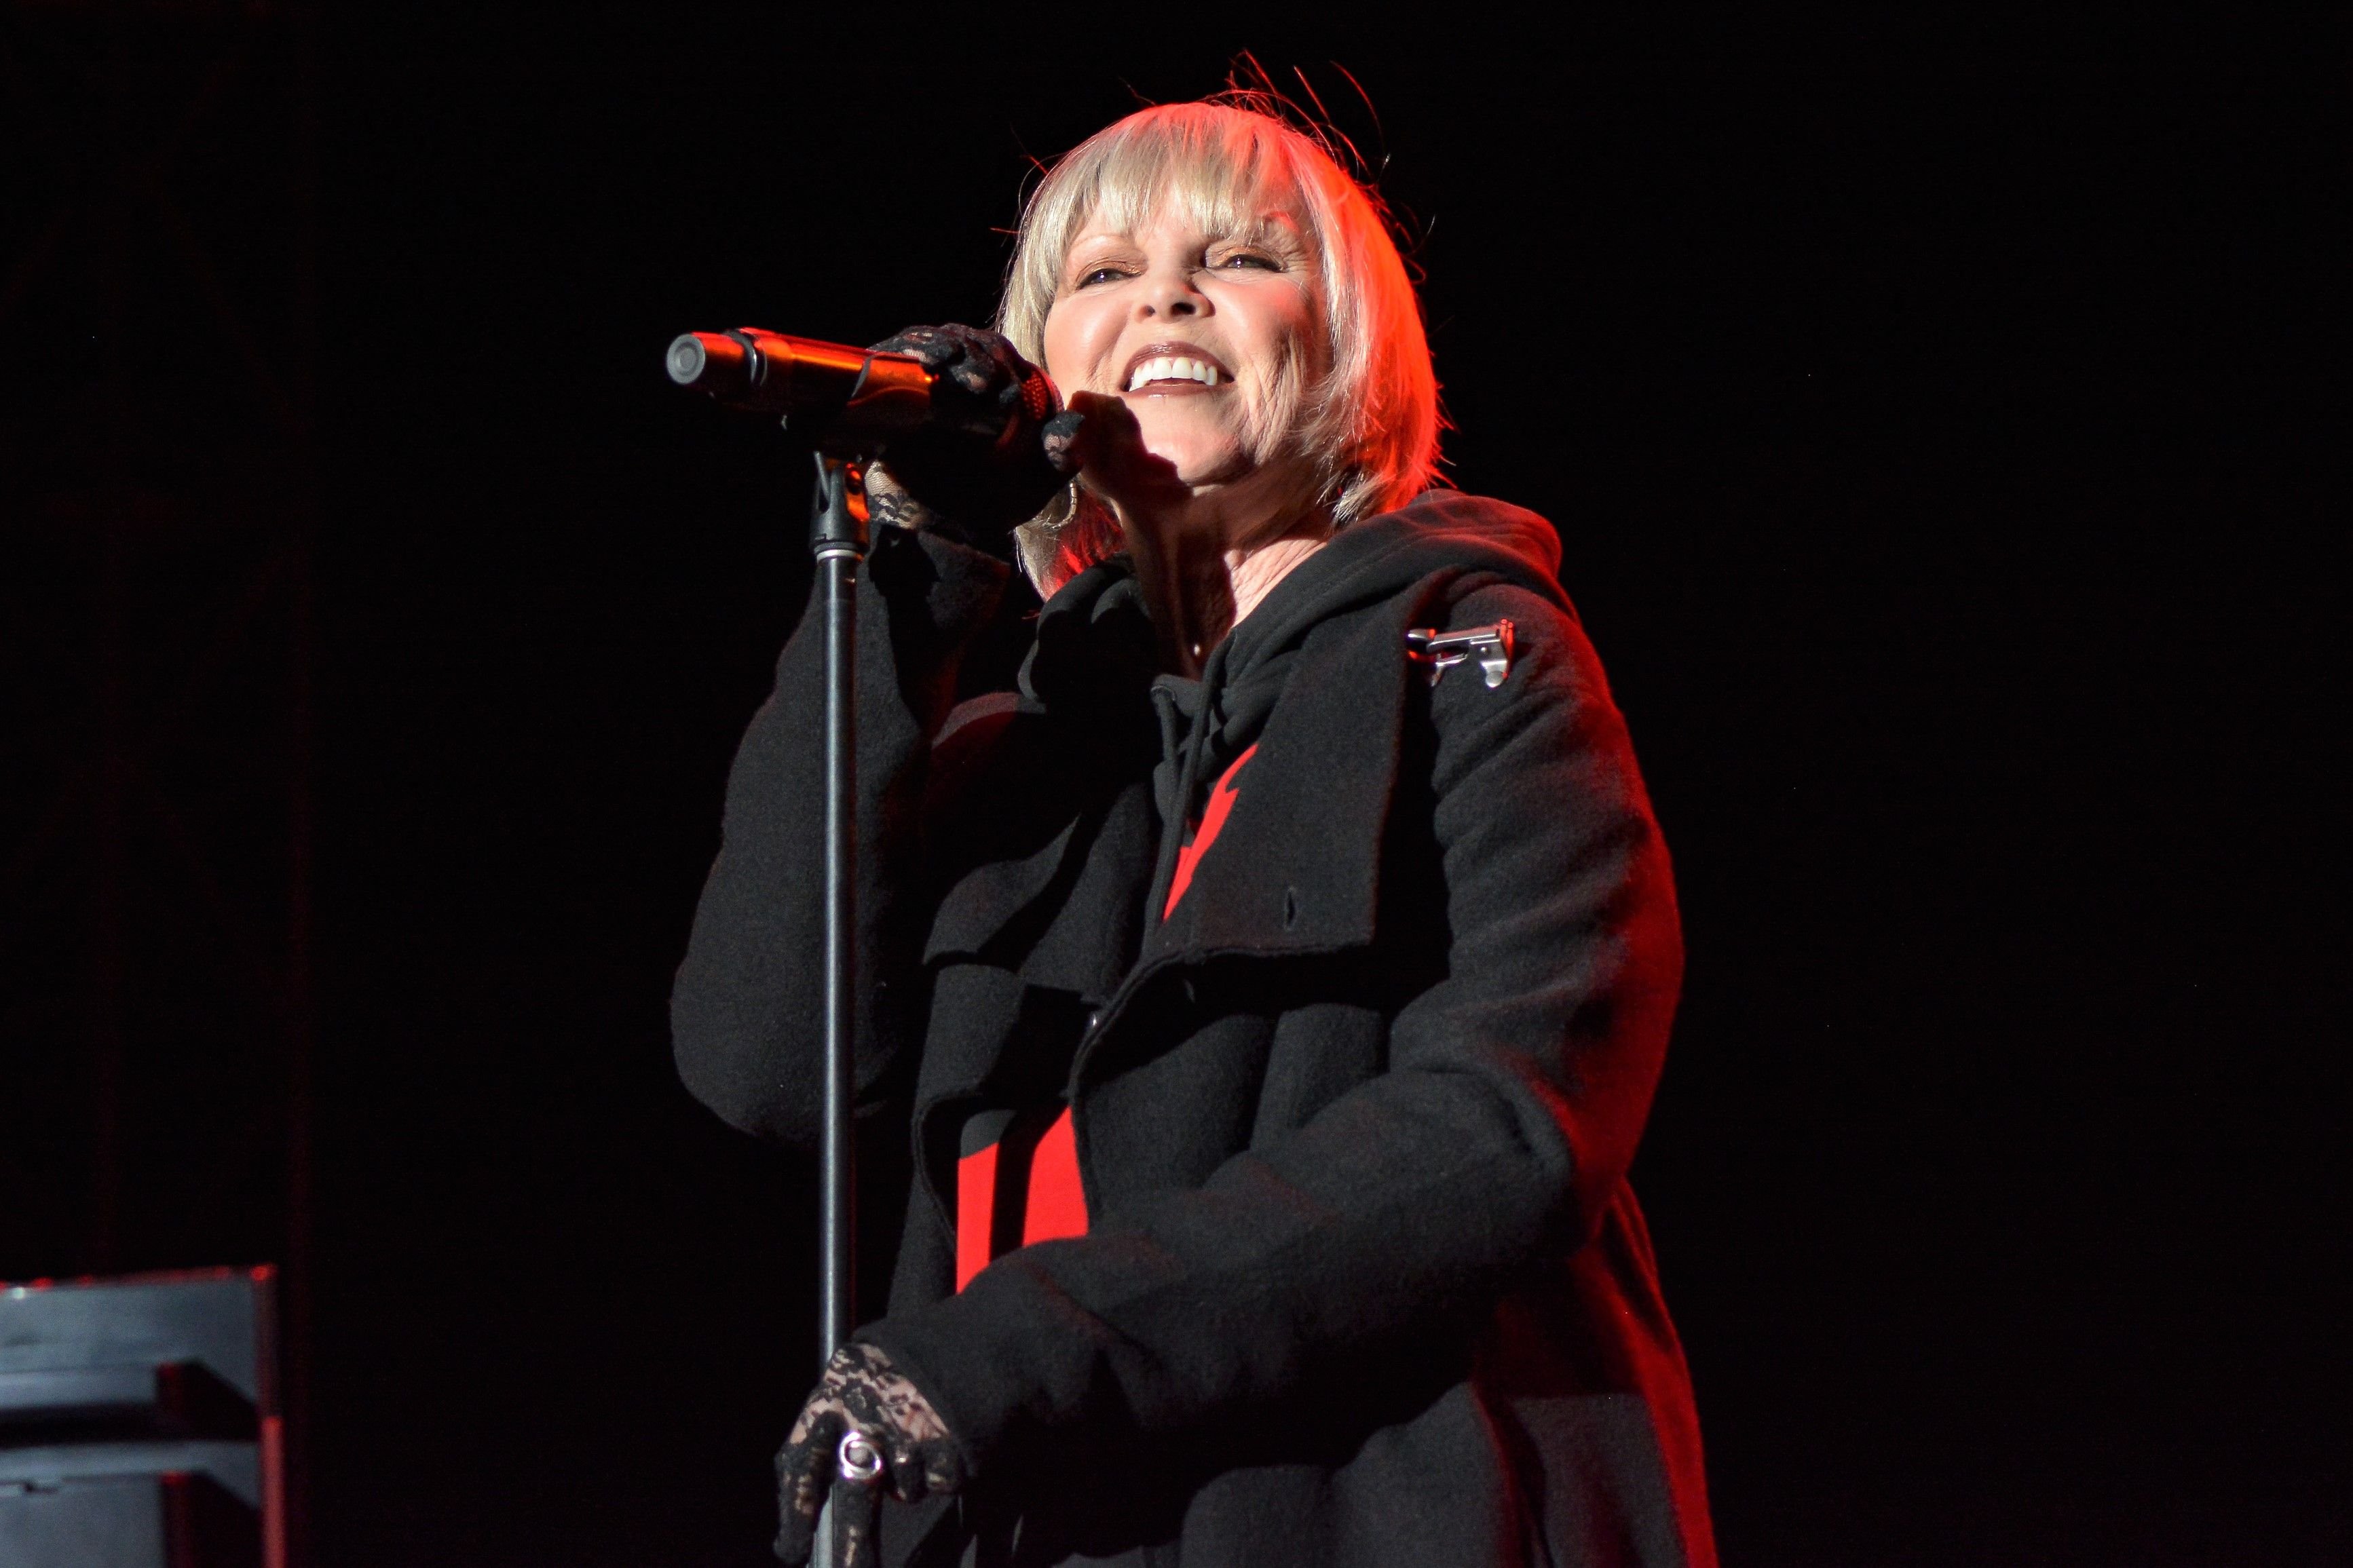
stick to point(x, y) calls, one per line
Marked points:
point(1931, 420)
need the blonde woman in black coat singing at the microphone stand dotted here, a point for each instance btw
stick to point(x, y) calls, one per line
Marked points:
point(1267, 949)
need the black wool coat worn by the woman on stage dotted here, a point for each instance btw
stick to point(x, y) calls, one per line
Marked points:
point(1364, 1278)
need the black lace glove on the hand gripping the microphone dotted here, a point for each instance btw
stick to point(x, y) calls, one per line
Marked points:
point(1001, 450)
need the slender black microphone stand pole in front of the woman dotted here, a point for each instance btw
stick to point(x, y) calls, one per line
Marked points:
point(839, 542)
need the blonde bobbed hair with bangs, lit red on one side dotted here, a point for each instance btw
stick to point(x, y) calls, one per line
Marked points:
point(1368, 427)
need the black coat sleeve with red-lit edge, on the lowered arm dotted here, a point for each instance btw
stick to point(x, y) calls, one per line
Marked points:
point(1397, 1219)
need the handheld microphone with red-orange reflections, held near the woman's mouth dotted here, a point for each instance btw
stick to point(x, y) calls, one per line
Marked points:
point(855, 401)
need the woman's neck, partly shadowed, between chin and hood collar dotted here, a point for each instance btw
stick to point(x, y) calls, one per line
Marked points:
point(1201, 575)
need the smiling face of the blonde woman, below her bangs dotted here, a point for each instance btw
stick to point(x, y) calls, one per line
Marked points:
point(1208, 340)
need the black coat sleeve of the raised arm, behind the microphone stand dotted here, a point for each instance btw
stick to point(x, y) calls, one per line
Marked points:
point(747, 998)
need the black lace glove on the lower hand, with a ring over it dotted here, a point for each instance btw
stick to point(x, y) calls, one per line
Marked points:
point(860, 1393)
